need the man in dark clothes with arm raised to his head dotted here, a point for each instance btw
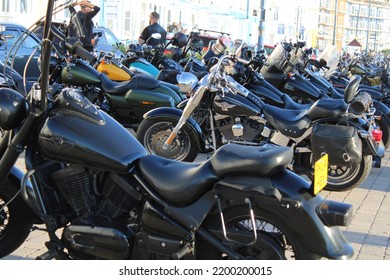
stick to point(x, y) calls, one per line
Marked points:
point(82, 24)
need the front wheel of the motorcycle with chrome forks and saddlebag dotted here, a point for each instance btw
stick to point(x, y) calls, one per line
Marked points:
point(152, 134)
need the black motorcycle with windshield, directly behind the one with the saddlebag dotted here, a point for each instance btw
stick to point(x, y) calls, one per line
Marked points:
point(288, 71)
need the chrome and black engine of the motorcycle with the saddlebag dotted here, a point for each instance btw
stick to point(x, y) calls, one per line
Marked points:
point(239, 128)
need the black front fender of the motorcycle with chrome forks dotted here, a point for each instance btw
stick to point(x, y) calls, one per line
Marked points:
point(175, 113)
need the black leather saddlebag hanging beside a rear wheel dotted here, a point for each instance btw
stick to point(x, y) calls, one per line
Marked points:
point(341, 143)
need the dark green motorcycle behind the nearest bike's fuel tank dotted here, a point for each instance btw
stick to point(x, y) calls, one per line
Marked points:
point(126, 101)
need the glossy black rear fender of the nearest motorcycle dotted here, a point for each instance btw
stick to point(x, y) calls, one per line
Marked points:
point(288, 197)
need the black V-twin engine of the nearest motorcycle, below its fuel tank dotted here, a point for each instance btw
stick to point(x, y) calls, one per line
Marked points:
point(105, 208)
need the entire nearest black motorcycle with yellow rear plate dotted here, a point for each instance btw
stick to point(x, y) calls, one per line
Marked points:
point(88, 176)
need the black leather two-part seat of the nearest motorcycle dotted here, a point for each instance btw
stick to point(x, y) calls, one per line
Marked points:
point(182, 182)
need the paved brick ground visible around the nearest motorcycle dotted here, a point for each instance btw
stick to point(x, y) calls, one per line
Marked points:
point(369, 231)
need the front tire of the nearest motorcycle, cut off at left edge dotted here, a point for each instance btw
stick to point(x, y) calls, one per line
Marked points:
point(14, 230)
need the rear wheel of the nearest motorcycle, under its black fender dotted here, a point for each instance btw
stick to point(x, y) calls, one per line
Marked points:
point(274, 239)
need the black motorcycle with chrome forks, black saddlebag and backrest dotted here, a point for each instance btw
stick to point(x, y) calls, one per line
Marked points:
point(221, 111)
